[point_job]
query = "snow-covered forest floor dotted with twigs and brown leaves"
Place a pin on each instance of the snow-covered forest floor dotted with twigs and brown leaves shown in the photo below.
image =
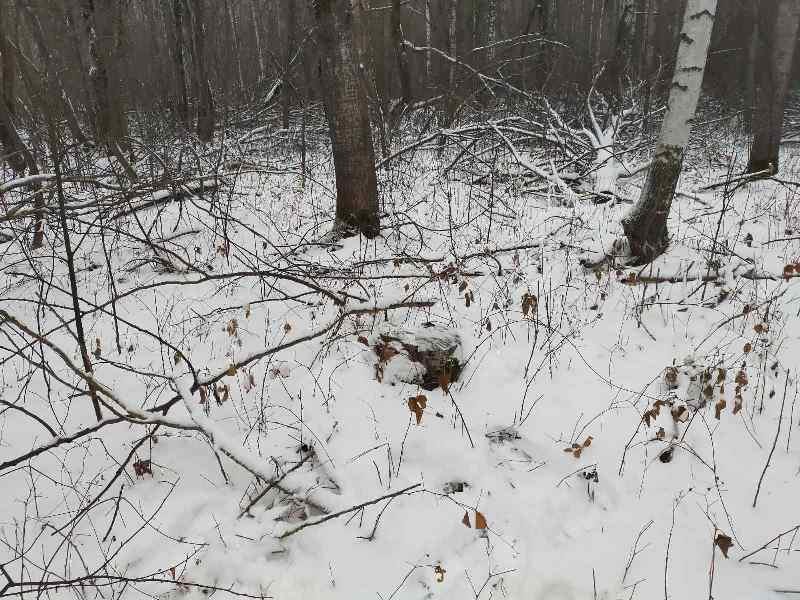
(583, 453)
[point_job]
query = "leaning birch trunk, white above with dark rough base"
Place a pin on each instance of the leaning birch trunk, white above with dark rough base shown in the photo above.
(645, 225)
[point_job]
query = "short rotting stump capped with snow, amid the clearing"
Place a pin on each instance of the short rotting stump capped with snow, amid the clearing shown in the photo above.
(429, 356)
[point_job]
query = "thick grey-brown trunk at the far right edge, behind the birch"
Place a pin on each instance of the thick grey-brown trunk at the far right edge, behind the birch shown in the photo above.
(778, 22)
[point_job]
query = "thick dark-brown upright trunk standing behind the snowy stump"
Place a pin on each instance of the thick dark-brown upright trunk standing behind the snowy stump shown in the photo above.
(348, 117)
